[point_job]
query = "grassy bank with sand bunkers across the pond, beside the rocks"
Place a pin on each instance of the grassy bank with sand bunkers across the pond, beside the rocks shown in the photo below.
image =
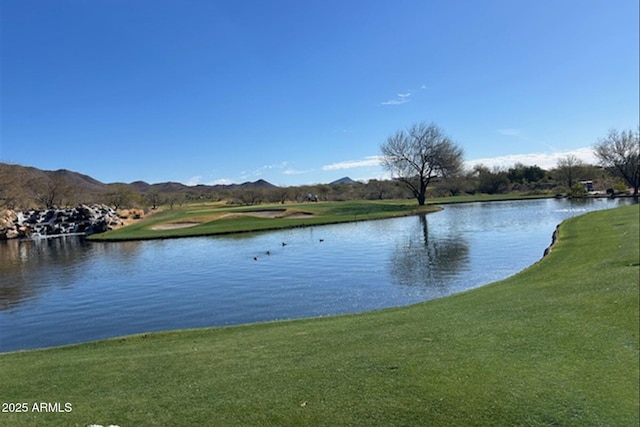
(212, 219)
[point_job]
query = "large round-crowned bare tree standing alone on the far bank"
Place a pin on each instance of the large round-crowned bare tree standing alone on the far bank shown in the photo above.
(420, 154)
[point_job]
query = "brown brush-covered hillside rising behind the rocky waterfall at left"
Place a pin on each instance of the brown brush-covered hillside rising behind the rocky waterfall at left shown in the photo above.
(27, 187)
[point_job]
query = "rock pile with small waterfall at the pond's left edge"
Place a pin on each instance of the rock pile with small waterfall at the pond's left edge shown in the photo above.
(82, 220)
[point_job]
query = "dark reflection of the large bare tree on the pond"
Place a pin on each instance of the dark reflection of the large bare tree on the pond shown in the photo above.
(424, 260)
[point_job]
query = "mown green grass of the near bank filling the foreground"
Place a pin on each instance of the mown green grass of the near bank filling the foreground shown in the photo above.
(555, 345)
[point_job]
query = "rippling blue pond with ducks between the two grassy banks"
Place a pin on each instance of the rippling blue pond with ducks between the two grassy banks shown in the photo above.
(68, 290)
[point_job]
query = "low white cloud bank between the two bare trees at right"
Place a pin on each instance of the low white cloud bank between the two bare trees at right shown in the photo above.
(544, 160)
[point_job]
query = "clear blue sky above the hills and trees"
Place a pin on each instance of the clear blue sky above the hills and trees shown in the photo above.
(298, 92)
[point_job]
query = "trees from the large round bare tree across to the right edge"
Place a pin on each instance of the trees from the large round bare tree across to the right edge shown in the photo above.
(424, 154)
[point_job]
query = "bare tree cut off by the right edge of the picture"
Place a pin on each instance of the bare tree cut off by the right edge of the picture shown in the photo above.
(620, 153)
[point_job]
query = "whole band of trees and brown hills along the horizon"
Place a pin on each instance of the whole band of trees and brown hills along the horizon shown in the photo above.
(423, 161)
